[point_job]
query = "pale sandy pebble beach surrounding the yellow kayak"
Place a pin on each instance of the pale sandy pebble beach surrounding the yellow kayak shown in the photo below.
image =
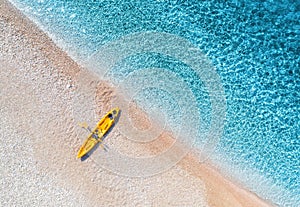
(39, 137)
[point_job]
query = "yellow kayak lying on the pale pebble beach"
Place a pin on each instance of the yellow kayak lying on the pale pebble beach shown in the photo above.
(98, 132)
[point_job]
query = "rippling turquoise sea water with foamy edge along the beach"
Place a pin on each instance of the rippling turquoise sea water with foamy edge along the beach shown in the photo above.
(255, 48)
